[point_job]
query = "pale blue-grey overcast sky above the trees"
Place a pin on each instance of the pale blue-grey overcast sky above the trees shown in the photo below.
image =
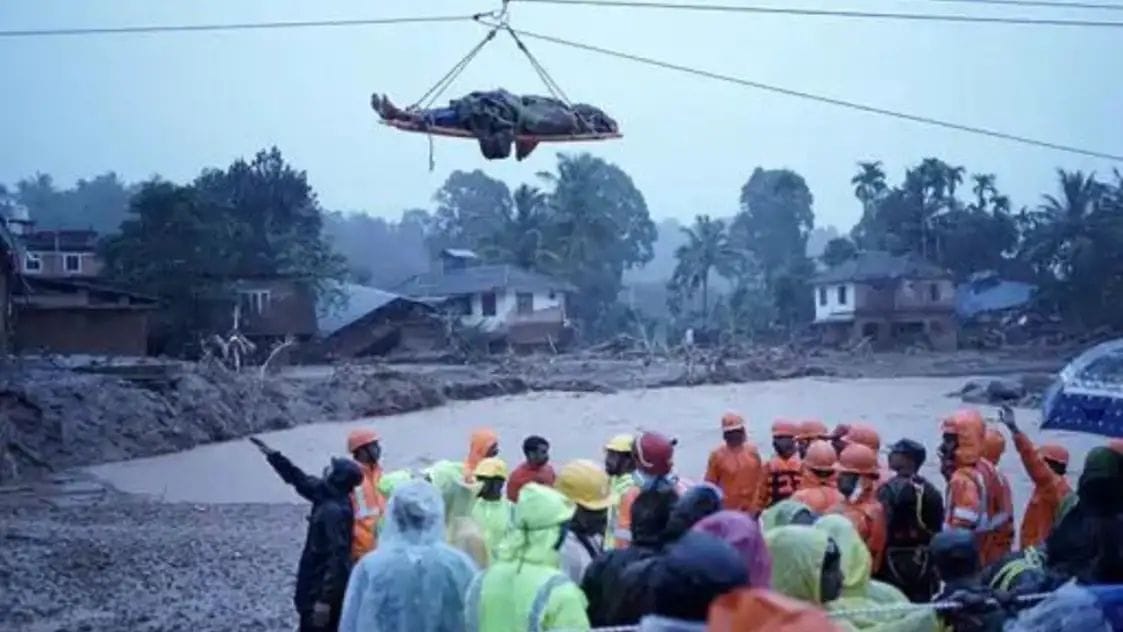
(172, 104)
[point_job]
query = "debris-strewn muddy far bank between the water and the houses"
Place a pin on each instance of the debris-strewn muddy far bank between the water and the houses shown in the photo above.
(53, 418)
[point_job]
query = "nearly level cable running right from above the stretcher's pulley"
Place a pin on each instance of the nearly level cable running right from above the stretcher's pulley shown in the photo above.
(829, 13)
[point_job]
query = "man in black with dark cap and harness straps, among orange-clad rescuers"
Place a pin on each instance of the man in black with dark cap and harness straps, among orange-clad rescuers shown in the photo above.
(914, 515)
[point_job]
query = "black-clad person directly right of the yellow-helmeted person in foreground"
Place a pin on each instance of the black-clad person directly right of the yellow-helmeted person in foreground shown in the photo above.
(608, 596)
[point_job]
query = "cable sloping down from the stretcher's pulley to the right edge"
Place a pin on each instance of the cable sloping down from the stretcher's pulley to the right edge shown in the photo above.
(819, 98)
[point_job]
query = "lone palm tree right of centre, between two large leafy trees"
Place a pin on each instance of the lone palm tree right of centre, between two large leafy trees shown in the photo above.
(708, 250)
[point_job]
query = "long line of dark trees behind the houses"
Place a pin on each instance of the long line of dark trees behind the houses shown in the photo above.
(586, 222)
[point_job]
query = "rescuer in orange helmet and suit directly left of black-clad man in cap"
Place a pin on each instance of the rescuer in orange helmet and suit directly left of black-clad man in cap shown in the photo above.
(859, 486)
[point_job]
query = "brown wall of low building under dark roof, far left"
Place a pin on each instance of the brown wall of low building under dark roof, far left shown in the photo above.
(97, 332)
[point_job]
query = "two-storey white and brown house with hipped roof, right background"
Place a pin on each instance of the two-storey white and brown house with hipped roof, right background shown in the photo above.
(891, 300)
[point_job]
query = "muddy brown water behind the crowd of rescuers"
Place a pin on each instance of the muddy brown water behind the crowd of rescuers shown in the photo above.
(578, 426)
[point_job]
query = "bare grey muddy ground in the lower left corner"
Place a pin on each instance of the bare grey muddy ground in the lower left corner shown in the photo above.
(121, 564)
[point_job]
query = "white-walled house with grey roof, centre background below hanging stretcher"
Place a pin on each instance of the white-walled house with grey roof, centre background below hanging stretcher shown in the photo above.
(506, 304)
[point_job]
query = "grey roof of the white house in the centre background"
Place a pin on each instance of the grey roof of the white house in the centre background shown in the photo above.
(476, 280)
